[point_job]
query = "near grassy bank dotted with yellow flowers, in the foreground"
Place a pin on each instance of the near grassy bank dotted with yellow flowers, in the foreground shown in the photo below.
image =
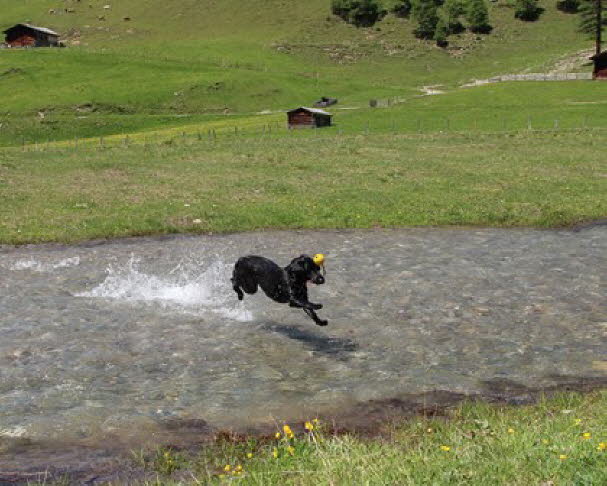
(559, 441)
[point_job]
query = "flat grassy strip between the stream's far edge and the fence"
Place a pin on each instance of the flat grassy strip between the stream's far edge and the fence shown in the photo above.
(304, 181)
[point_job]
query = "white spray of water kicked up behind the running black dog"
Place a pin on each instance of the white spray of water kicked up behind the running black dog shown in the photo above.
(188, 288)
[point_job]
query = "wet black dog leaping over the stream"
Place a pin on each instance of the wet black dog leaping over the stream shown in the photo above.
(282, 285)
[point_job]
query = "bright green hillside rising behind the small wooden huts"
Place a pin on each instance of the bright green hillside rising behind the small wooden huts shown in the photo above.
(210, 58)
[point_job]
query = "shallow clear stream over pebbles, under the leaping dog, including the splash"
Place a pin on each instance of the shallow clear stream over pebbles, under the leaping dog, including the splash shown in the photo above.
(121, 337)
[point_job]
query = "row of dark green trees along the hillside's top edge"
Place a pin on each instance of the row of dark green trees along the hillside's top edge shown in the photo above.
(438, 19)
